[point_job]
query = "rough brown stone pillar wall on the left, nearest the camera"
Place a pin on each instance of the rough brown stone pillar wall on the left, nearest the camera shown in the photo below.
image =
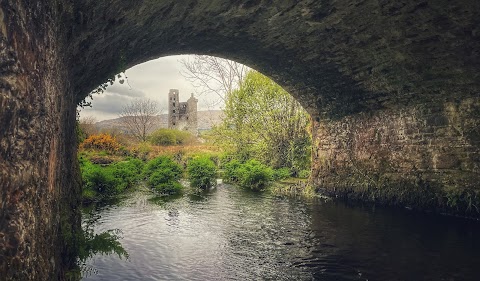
(38, 194)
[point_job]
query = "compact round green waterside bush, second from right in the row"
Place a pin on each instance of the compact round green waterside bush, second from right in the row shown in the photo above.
(201, 172)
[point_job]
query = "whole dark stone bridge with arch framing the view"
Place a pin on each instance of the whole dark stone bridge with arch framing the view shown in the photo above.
(393, 87)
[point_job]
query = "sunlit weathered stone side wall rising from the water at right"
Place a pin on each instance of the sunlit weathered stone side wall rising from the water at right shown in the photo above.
(425, 156)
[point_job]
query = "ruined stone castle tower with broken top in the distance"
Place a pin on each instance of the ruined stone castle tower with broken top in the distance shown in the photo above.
(182, 115)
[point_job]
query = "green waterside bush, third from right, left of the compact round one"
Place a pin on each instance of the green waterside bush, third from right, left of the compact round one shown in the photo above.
(163, 175)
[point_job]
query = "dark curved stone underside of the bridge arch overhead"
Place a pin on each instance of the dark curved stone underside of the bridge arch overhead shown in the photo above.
(336, 57)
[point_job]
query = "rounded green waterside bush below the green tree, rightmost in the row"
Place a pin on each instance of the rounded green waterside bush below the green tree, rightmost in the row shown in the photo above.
(254, 175)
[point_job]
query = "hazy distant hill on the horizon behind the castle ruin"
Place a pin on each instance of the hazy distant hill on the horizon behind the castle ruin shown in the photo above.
(206, 120)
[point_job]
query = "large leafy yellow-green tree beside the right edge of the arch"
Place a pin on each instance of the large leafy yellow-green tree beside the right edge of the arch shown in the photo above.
(264, 122)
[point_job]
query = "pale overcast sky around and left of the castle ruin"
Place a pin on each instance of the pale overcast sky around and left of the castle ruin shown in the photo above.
(151, 80)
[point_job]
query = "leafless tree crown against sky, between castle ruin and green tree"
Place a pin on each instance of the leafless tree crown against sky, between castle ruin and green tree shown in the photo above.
(213, 74)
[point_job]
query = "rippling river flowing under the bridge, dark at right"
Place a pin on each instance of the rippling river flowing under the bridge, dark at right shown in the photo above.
(232, 234)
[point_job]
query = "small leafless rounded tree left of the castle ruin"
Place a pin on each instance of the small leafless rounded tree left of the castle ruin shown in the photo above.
(139, 117)
